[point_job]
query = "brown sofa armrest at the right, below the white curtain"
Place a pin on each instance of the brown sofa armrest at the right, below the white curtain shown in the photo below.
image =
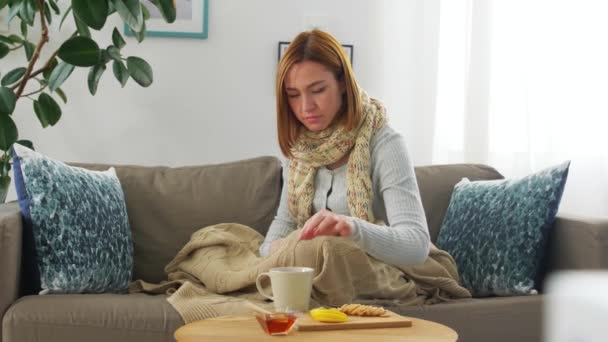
(578, 243)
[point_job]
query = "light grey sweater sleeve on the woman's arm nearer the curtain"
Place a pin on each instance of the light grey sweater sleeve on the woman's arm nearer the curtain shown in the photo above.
(405, 240)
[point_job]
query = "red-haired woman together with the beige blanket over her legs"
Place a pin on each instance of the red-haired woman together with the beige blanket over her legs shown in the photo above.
(350, 206)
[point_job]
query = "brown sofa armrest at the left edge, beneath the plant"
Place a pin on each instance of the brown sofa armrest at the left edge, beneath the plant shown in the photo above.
(10, 254)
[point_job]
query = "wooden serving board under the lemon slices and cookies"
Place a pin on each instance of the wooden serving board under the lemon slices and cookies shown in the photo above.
(389, 320)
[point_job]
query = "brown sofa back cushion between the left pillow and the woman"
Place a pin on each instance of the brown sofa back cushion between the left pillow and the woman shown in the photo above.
(166, 205)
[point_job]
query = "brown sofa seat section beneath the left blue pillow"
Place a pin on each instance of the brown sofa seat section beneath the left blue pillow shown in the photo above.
(91, 318)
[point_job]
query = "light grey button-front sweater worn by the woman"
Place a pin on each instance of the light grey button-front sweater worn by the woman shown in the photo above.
(405, 239)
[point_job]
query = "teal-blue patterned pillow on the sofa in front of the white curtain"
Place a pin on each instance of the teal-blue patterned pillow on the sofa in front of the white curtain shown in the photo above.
(497, 230)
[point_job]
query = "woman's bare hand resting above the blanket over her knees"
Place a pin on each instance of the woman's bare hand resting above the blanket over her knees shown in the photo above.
(326, 223)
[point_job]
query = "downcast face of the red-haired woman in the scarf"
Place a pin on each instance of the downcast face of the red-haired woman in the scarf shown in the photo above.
(314, 94)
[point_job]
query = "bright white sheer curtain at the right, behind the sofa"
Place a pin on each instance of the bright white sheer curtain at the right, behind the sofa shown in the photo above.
(523, 85)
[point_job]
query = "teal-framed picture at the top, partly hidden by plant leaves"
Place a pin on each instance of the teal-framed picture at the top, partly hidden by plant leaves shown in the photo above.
(192, 17)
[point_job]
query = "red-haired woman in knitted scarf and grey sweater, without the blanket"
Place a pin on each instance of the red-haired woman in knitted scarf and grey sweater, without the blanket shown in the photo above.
(348, 173)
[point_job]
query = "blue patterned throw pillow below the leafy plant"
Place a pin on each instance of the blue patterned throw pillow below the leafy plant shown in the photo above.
(78, 219)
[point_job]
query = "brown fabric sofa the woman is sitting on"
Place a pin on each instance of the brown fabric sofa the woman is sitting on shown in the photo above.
(166, 205)
